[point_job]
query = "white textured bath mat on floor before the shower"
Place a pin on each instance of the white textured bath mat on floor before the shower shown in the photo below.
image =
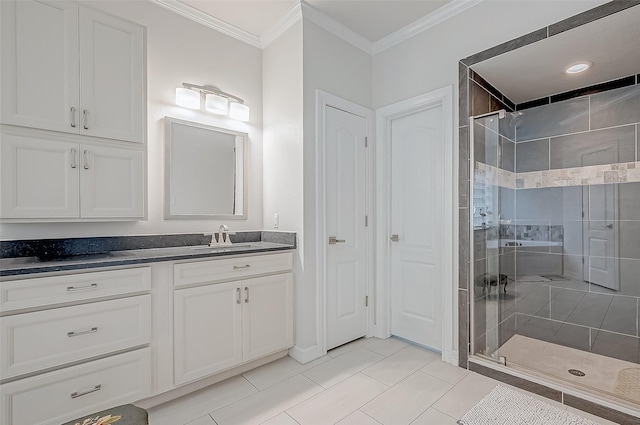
(504, 406)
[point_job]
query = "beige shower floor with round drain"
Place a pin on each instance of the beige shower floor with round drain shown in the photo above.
(554, 361)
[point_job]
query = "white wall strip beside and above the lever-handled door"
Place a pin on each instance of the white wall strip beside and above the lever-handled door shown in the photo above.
(336, 67)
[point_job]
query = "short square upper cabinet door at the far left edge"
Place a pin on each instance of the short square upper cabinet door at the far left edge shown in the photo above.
(39, 178)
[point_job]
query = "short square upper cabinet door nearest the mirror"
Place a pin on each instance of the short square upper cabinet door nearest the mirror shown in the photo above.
(111, 182)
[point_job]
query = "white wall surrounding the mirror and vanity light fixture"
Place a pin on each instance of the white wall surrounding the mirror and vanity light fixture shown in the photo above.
(178, 50)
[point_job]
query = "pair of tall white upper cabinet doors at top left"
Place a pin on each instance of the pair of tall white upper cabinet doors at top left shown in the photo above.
(70, 68)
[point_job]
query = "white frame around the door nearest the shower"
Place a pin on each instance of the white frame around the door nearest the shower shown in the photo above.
(442, 97)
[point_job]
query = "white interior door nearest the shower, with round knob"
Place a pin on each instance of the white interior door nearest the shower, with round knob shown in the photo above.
(417, 222)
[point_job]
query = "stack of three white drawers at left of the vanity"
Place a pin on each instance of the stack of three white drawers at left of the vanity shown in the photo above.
(74, 344)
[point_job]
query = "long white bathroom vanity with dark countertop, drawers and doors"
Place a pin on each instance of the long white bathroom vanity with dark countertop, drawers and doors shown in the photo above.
(88, 332)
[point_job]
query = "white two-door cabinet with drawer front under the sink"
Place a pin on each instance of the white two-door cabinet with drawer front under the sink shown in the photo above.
(220, 325)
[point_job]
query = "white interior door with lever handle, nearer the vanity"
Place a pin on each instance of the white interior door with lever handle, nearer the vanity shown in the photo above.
(345, 186)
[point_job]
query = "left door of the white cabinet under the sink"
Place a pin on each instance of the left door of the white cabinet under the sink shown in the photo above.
(207, 333)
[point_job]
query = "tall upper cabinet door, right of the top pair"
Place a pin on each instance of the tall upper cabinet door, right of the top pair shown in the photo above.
(111, 77)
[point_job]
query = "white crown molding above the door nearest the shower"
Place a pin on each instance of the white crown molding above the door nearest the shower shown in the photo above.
(440, 15)
